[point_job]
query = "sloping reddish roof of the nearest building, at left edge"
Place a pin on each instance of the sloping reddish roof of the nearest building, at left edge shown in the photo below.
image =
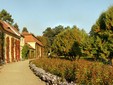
(7, 27)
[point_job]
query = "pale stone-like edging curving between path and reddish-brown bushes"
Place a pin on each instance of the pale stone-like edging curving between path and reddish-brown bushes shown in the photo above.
(49, 78)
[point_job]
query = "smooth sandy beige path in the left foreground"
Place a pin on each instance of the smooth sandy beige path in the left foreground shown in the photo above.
(18, 73)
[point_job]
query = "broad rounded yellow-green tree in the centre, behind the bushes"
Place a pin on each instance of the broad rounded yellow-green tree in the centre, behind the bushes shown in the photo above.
(70, 42)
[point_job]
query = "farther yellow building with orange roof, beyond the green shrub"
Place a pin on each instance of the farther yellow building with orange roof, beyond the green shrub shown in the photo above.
(34, 44)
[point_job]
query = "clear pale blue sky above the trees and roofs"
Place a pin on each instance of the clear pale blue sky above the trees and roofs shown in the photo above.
(37, 15)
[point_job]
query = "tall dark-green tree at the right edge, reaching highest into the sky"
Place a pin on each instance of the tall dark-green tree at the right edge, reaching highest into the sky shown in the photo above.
(102, 31)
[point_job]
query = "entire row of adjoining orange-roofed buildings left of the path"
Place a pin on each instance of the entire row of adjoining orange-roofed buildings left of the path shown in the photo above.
(12, 42)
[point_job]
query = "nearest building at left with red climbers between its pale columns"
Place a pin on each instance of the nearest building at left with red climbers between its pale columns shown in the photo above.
(9, 43)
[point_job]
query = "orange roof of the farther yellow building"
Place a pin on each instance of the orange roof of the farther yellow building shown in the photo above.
(31, 38)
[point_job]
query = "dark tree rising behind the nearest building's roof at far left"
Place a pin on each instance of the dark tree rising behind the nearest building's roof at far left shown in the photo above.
(5, 16)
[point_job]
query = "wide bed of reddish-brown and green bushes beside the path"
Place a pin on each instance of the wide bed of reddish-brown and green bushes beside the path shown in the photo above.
(81, 72)
